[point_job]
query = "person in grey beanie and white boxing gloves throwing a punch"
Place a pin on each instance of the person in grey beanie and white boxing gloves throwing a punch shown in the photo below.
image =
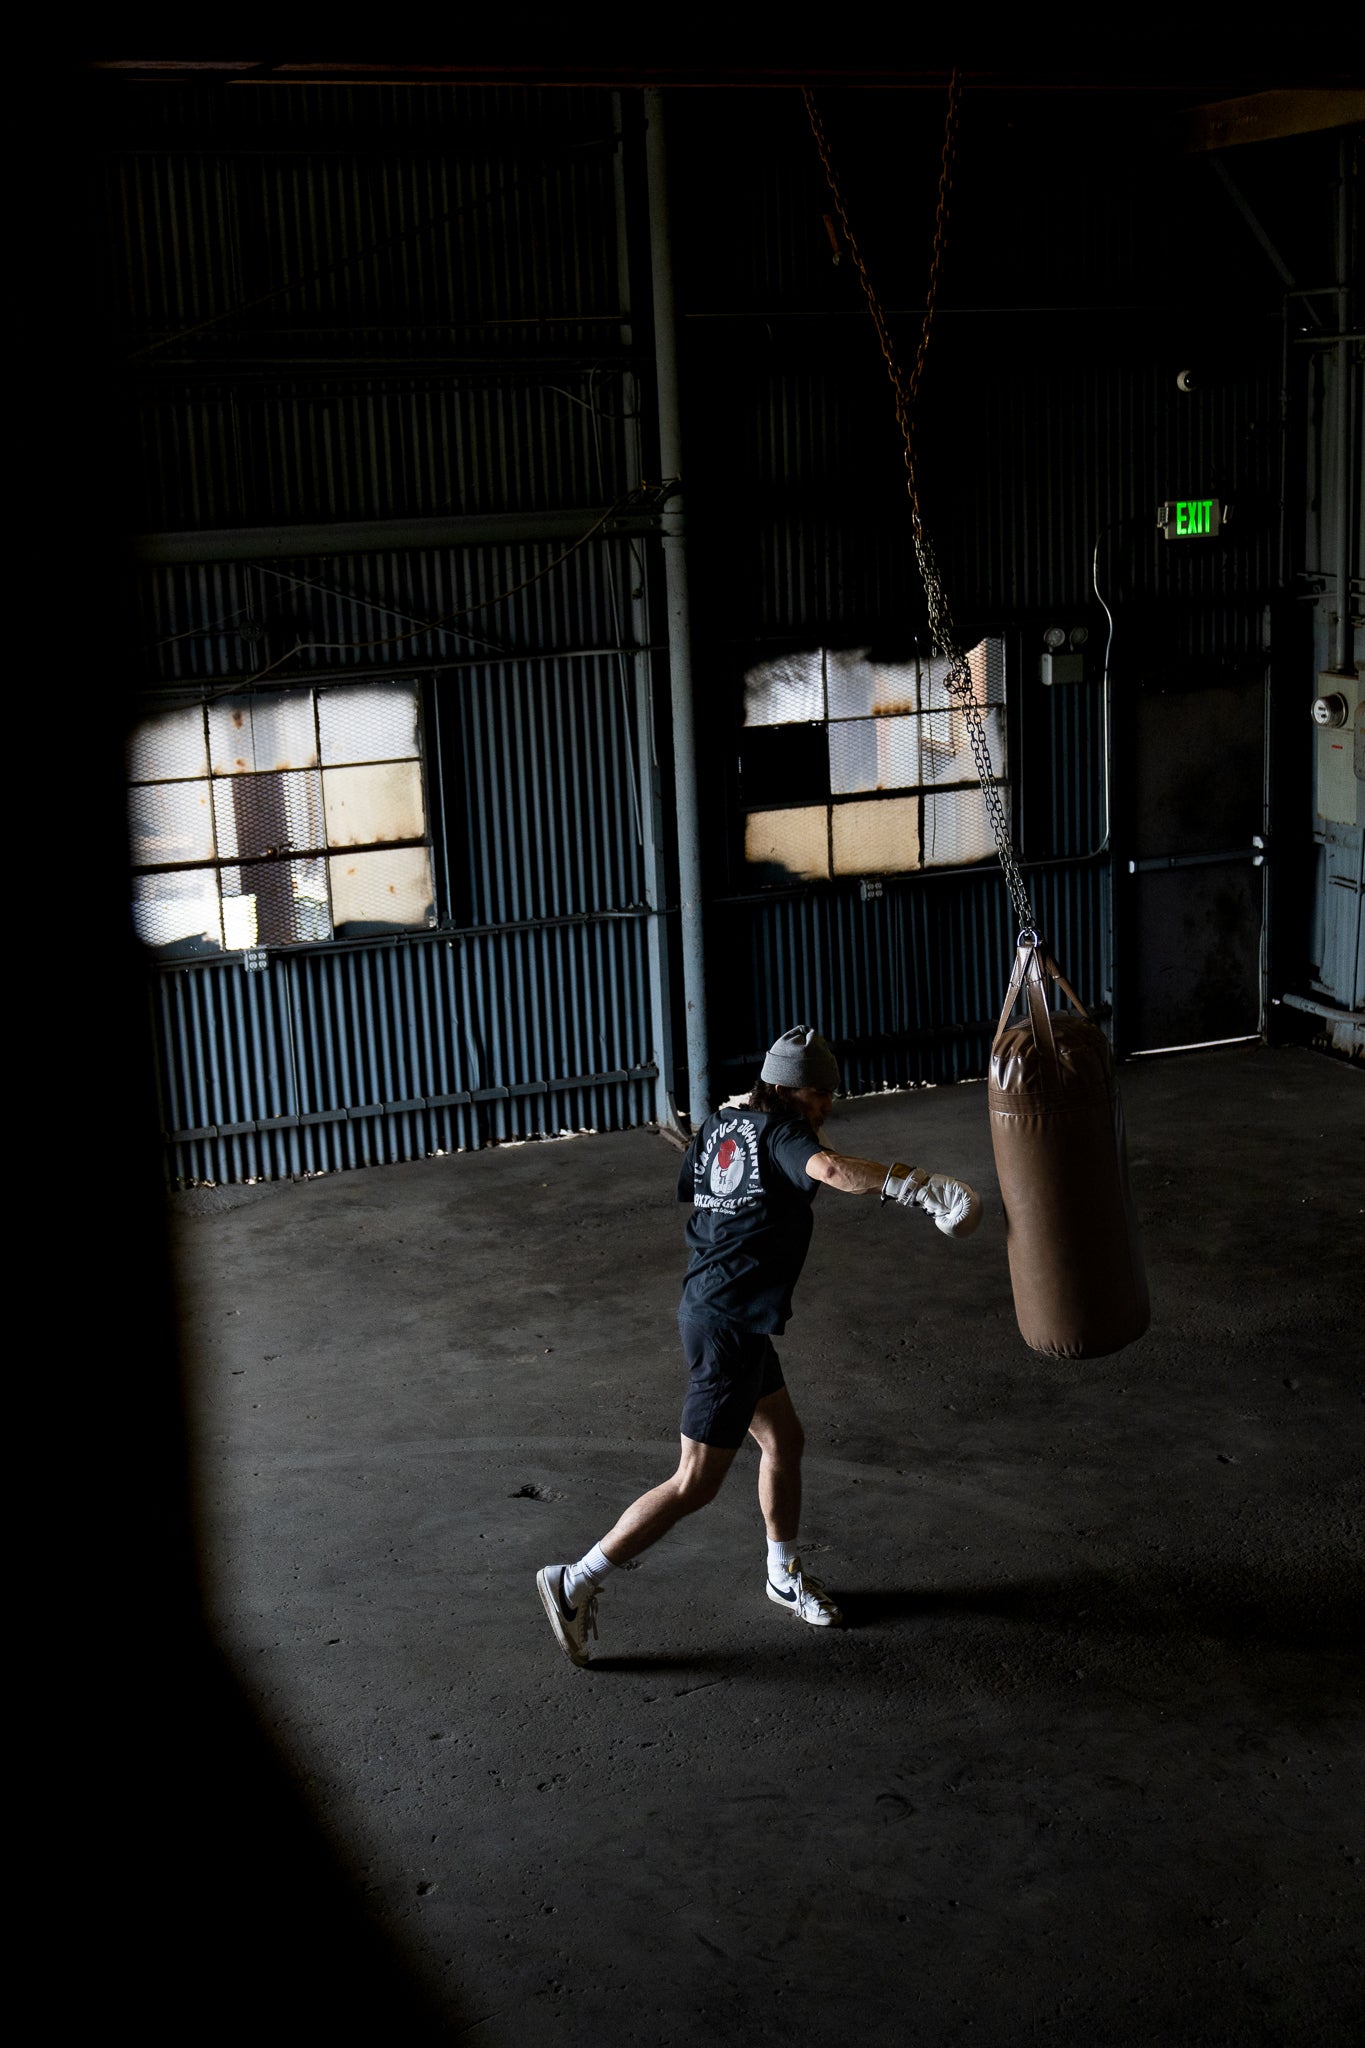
(752, 1177)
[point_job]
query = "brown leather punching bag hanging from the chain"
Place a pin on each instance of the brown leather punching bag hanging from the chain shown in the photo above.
(1057, 1127)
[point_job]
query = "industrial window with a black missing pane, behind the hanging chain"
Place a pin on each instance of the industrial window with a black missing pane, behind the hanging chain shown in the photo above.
(863, 767)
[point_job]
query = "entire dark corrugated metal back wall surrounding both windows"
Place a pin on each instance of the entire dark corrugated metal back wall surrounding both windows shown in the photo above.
(396, 304)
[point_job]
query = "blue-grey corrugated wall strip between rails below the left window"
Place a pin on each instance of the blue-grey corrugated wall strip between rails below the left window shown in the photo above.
(392, 1052)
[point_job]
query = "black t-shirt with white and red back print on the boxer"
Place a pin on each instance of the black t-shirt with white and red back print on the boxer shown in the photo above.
(750, 1226)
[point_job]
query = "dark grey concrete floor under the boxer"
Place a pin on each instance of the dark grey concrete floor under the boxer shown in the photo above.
(1086, 1768)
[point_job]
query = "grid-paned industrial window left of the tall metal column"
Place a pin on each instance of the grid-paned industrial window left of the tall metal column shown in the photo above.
(279, 818)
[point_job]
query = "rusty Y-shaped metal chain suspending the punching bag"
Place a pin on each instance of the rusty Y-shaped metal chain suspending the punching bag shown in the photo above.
(942, 628)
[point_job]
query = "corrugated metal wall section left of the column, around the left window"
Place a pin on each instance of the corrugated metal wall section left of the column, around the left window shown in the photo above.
(402, 306)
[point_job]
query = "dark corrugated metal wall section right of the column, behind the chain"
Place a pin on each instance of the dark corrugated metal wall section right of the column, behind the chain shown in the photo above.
(1051, 423)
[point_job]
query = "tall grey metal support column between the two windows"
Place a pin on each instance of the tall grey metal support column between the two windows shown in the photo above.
(678, 622)
